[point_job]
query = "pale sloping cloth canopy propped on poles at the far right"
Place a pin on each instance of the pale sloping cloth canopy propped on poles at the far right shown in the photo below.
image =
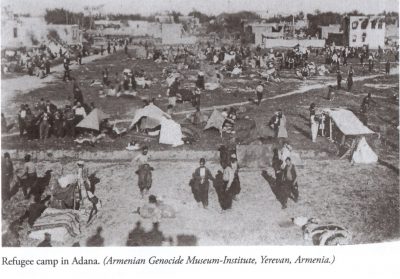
(347, 122)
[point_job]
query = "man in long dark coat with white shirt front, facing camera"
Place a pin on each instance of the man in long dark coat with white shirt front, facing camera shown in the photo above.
(200, 183)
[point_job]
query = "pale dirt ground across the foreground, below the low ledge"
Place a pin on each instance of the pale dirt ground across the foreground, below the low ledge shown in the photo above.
(363, 199)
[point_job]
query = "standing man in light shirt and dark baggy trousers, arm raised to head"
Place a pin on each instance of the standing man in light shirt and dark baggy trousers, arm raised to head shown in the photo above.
(143, 171)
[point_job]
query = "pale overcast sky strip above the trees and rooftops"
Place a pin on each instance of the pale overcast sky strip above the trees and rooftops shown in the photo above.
(146, 7)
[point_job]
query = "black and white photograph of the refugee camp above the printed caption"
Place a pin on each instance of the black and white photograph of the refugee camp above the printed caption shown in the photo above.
(199, 123)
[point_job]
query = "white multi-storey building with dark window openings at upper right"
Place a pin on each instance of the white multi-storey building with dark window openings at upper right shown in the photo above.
(364, 30)
